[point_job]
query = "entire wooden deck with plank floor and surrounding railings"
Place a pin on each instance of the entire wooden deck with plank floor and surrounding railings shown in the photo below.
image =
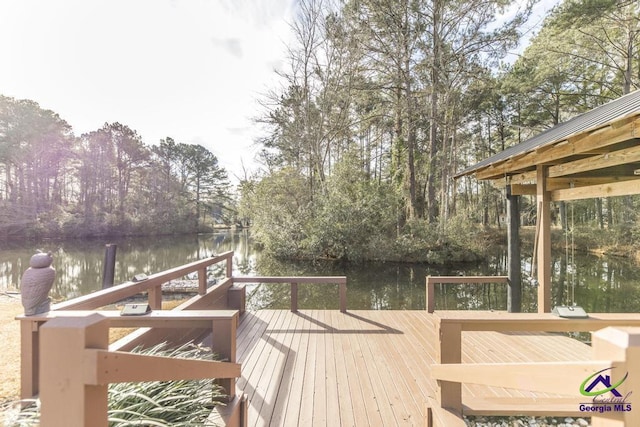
(326, 367)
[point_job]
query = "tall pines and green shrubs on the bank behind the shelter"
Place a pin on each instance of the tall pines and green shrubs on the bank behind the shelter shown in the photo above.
(382, 102)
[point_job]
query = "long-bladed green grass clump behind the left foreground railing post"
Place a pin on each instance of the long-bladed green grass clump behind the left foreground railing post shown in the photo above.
(156, 403)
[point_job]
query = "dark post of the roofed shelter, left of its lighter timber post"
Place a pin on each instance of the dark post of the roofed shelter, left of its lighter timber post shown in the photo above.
(514, 290)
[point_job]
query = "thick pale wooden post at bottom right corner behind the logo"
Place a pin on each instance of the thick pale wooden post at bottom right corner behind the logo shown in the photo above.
(620, 345)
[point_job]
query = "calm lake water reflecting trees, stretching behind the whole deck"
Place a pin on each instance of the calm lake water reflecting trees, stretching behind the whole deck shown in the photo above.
(598, 284)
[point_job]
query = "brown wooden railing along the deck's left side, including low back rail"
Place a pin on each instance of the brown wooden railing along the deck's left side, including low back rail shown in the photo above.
(72, 340)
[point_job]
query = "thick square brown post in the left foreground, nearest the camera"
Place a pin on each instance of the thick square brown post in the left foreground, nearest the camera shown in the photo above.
(66, 400)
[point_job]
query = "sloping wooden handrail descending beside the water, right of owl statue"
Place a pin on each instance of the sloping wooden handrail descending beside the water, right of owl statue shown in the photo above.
(152, 284)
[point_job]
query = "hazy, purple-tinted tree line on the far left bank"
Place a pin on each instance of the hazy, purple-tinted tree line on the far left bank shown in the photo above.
(107, 181)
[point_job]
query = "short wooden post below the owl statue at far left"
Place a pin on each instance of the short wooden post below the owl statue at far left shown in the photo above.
(29, 358)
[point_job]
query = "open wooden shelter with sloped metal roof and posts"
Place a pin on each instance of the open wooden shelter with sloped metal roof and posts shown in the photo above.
(595, 154)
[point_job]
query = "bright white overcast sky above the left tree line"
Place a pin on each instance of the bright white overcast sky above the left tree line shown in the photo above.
(192, 69)
